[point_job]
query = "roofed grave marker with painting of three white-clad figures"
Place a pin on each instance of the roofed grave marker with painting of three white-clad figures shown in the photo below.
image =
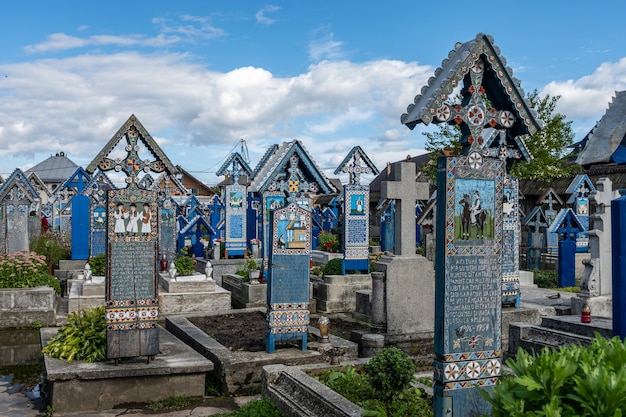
(132, 302)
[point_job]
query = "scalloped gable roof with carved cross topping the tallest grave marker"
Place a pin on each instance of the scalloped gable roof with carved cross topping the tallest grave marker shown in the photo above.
(488, 86)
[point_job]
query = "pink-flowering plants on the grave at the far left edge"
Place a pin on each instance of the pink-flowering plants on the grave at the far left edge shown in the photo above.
(26, 269)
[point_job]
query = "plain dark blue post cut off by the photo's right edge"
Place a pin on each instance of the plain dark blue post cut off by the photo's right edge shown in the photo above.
(618, 222)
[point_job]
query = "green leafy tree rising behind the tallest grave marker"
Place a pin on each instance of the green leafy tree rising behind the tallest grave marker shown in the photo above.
(548, 146)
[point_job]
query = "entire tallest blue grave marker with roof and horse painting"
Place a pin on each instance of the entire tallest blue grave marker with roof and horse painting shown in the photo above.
(468, 288)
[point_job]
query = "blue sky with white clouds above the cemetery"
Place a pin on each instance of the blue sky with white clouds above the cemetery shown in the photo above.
(201, 75)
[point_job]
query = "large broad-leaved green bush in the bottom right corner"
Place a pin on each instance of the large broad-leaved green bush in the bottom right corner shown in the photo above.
(571, 381)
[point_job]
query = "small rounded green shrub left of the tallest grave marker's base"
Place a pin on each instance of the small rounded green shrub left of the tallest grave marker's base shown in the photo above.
(390, 372)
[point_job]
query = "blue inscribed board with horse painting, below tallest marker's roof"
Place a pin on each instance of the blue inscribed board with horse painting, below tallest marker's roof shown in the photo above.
(468, 289)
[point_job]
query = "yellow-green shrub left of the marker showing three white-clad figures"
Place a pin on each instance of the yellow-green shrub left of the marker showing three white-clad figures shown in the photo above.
(82, 338)
